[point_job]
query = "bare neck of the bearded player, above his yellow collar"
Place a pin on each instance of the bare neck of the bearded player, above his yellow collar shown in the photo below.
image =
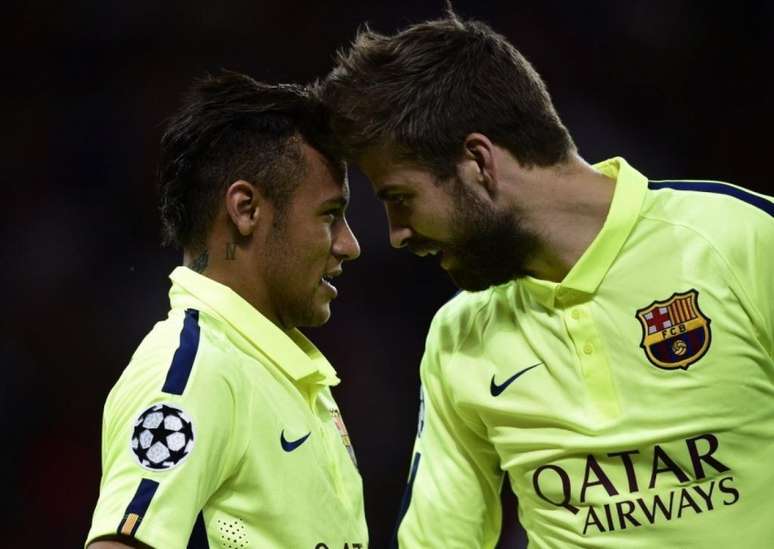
(565, 207)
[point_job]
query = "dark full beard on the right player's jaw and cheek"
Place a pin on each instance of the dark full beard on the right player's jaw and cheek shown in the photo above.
(489, 247)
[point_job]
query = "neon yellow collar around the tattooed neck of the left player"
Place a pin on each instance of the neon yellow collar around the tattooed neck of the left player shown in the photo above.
(291, 352)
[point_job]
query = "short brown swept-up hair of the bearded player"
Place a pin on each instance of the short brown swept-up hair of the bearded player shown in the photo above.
(426, 88)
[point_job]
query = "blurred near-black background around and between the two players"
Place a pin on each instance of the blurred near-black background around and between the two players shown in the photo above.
(679, 88)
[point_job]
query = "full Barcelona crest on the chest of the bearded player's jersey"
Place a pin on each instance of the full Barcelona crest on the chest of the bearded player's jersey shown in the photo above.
(675, 333)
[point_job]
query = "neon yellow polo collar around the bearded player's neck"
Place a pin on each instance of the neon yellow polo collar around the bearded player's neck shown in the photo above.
(589, 271)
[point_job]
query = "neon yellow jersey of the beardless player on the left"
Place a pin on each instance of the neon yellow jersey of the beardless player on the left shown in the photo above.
(222, 432)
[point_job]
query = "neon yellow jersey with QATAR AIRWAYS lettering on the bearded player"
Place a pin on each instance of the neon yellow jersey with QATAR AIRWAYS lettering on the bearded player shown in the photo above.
(632, 404)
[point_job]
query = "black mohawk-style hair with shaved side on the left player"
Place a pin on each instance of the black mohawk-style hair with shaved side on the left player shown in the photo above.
(231, 127)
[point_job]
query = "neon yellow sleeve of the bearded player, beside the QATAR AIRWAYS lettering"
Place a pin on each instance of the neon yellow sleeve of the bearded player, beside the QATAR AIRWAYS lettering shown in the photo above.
(453, 495)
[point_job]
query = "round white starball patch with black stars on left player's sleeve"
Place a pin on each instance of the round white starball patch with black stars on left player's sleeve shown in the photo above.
(162, 437)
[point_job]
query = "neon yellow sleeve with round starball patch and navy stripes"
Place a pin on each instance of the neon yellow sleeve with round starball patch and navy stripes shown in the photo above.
(171, 437)
